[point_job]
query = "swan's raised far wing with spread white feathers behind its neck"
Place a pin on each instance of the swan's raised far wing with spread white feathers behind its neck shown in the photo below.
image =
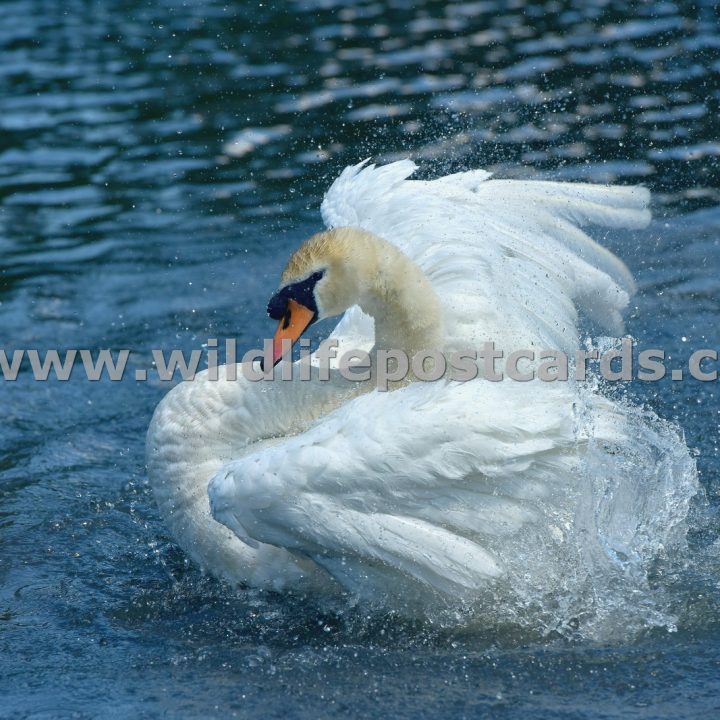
(508, 258)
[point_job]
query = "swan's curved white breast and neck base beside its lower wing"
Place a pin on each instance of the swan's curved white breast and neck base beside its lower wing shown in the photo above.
(200, 426)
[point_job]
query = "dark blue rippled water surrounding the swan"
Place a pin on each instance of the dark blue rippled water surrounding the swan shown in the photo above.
(158, 160)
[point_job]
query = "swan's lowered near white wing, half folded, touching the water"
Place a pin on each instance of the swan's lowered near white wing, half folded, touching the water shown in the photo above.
(344, 494)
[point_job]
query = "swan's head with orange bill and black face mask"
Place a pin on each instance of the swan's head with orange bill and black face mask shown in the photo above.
(329, 273)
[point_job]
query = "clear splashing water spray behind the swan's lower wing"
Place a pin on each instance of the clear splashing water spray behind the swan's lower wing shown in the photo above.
(636, 482)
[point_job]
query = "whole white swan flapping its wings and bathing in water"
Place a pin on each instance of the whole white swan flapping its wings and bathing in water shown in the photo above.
(434, 490)
